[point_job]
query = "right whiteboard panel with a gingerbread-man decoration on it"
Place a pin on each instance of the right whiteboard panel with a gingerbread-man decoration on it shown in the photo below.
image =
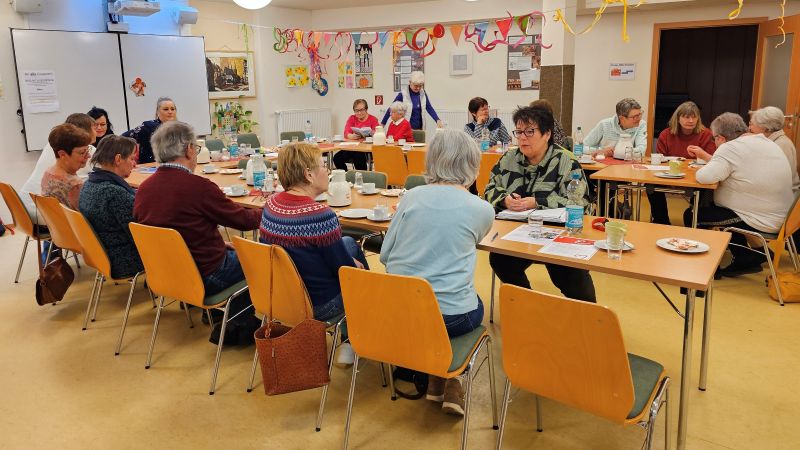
(170, 66)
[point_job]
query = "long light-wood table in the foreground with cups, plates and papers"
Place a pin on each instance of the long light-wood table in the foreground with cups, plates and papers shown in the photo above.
(647, 262)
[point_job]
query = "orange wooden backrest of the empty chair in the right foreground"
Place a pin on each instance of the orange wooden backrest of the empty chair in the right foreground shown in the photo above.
(566, 350)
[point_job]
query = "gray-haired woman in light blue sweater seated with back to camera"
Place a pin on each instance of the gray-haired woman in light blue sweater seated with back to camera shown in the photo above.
(434, 234)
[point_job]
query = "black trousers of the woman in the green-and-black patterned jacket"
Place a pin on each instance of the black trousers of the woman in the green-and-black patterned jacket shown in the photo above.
(574, 283)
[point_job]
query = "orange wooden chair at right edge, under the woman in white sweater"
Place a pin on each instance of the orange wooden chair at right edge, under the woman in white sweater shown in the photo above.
(780, 239)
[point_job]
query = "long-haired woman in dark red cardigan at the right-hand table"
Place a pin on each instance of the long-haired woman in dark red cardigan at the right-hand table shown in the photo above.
(685, 129)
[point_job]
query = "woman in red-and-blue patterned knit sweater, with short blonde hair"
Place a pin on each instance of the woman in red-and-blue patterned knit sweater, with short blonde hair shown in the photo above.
(310, 232)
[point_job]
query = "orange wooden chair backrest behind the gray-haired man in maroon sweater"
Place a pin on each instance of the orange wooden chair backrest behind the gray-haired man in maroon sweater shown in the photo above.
(171, 270)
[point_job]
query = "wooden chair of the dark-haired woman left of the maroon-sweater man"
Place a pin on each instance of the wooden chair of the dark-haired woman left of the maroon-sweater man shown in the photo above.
(96, 257)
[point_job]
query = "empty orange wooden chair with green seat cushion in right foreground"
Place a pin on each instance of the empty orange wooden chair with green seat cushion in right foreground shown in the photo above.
(573, 352)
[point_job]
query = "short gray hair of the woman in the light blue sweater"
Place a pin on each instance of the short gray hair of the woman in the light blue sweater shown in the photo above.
(453, 157)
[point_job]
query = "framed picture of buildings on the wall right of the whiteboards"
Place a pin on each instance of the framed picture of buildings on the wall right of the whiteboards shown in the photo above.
(230, 74)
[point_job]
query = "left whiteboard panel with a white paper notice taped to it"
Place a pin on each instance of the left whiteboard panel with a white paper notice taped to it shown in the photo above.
(87, 71)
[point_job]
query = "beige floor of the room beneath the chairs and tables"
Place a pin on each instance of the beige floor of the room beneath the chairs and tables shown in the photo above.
(64, 388)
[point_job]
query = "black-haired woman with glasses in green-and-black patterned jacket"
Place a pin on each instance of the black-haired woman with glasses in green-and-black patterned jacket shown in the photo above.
(536, 176)
